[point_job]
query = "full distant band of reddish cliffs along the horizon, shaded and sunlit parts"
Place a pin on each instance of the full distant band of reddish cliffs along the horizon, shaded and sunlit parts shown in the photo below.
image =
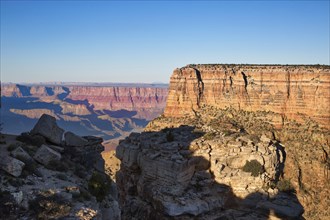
(147, 101)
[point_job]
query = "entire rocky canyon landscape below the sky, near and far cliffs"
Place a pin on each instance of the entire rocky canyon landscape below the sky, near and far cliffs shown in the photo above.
(234, 142)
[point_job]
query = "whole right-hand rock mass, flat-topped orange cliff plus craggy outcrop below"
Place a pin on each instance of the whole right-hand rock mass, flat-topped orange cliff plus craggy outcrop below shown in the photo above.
(235, 142)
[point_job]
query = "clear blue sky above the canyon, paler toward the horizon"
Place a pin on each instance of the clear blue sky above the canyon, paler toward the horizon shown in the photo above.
(113, 41)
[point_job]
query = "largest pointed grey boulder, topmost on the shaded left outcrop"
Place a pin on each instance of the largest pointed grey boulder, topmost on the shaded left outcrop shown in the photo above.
(47, 127)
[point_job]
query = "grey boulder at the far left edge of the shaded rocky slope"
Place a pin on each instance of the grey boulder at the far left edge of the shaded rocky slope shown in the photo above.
(11, 165)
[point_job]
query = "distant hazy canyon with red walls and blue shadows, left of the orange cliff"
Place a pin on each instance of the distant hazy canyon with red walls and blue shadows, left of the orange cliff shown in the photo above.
(110, 111)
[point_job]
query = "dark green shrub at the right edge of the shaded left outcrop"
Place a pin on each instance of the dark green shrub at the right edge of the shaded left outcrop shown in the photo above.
(99, 186)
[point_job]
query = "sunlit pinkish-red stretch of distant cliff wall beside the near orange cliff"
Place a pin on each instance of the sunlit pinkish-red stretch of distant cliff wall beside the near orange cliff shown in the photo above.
(148, 102)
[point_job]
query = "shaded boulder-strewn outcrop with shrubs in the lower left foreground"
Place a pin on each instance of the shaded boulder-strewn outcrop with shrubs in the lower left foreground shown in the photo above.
(52, 174)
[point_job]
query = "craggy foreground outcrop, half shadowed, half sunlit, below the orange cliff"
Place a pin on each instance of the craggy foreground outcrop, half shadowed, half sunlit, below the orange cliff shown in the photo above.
(181, 172)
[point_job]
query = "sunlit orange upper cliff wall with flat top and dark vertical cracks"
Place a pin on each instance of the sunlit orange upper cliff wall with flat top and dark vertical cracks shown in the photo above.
(287, 90)
